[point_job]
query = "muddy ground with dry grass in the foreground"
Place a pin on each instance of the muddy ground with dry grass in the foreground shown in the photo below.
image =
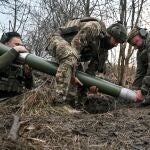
(35, 125)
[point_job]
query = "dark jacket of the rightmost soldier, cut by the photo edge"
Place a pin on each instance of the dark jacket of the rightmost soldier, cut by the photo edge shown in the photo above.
(142, 78)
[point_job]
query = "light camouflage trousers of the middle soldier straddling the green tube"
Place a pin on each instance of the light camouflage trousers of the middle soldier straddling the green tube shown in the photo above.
(67, 57)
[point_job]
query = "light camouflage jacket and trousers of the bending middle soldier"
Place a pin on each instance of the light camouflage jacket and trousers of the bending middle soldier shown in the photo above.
(69, 54)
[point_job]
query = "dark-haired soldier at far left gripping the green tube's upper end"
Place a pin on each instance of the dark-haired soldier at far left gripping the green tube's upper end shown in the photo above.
(13, 77)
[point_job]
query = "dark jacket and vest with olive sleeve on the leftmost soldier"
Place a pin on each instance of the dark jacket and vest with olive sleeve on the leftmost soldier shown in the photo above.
(12, 78)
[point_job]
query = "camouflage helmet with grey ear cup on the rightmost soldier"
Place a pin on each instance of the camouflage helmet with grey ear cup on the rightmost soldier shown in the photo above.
(136, 31)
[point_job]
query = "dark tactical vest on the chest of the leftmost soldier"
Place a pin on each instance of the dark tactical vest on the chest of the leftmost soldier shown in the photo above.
(11, 79)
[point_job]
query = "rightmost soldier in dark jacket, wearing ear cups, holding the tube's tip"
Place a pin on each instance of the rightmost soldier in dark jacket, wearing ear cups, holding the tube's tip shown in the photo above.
(140, 39)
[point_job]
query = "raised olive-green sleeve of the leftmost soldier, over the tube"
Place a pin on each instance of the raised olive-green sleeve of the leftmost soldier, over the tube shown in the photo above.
(7, 58)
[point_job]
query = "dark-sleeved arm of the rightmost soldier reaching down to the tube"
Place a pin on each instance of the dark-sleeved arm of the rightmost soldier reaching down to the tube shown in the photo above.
(140, 73)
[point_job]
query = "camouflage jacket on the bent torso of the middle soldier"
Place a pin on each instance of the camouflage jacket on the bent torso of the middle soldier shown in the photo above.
(87, 42)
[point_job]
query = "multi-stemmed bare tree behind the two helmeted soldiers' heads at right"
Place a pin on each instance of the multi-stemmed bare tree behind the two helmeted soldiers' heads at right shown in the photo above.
(134, 14)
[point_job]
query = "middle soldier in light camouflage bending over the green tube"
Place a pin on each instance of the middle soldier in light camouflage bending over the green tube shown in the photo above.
(82, 40)
